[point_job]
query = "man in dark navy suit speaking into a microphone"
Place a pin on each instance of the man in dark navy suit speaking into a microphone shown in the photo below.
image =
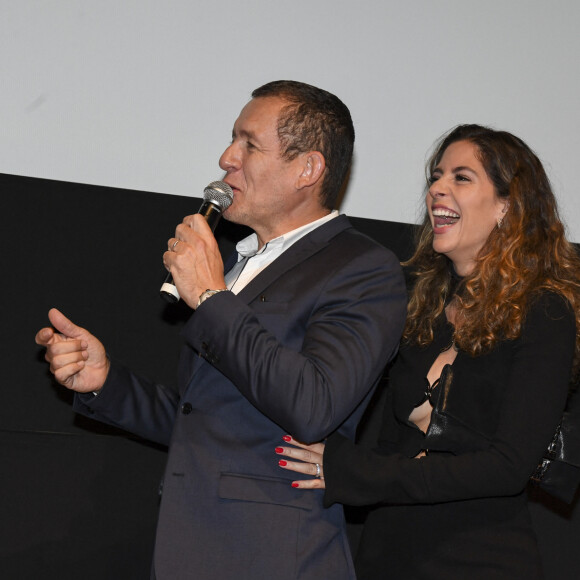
(292, 340)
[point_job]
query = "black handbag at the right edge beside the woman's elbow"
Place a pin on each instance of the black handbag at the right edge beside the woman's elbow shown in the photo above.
(558, 472)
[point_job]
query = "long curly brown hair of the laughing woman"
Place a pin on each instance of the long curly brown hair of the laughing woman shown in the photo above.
(528, 253)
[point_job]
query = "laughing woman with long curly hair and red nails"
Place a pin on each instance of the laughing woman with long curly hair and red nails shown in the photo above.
(481, 379)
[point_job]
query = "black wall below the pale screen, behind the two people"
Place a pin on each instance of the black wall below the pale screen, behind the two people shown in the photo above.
(79, 499)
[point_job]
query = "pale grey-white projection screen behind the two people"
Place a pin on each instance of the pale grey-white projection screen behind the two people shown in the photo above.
(142, 94)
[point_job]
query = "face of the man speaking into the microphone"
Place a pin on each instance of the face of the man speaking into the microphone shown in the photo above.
(263, 183)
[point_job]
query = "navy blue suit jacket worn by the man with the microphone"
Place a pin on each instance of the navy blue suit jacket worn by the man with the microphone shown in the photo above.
(298, 350)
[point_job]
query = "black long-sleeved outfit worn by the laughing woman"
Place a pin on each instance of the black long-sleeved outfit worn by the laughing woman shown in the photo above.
(461, 511)
